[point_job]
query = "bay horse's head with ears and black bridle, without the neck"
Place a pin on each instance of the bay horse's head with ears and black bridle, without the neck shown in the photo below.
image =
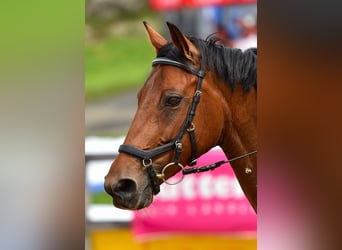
(180, 116)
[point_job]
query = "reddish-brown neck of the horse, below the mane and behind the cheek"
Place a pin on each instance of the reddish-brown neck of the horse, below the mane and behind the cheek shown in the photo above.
(239, 136)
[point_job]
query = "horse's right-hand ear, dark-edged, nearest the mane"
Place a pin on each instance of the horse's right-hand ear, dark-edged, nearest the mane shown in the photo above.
(186, 47)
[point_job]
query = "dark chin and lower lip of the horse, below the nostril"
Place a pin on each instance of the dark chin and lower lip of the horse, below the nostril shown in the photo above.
(139, 201)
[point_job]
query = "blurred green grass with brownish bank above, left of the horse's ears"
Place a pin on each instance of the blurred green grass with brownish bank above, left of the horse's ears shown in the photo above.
(117, 50)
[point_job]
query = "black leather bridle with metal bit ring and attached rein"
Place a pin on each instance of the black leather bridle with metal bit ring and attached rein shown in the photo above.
(187, 126)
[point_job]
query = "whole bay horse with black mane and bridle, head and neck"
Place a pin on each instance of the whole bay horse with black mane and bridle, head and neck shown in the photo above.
(199, 94)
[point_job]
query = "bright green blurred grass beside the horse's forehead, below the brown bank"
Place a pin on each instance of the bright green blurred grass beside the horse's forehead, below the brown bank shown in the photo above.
(116, 64)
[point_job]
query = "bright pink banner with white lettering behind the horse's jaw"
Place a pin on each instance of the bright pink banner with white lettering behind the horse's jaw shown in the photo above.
(205, 202)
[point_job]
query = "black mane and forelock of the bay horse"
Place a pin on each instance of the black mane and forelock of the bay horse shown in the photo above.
(230, 64)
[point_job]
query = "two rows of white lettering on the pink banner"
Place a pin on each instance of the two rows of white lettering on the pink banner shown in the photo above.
(204, 195)
